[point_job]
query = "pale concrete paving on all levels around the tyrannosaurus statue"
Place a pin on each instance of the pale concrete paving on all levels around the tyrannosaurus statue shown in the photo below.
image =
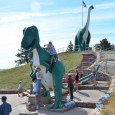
(19, 103)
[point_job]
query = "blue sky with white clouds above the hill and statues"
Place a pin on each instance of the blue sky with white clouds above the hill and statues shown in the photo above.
(57, 21)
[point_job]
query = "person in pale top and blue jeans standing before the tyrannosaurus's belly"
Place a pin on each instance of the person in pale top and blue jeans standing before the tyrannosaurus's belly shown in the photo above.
(39, 77)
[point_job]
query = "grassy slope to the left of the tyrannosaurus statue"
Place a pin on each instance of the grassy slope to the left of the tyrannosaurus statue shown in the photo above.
(9, 78)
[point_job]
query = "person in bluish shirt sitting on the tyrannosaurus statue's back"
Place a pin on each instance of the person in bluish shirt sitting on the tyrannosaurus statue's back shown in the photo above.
(53, 52)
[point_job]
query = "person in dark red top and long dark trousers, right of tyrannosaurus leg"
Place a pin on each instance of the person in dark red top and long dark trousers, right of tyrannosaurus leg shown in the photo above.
(70, 86)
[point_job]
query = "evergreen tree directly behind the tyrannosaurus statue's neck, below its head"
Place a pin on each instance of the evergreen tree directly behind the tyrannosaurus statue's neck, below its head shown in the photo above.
(23, 57)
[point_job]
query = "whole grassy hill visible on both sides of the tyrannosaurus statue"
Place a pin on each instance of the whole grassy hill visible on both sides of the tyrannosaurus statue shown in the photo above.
(9, 78)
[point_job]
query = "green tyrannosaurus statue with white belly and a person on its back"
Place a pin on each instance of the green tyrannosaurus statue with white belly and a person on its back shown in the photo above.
(53, 77)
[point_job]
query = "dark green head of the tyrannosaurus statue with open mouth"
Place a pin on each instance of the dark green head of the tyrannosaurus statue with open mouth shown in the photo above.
(30, 38)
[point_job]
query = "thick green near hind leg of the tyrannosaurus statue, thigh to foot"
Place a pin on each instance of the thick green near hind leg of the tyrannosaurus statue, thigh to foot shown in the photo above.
(58, 71)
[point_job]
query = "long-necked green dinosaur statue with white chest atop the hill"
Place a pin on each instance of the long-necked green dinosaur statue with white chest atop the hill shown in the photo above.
(82, 39)
